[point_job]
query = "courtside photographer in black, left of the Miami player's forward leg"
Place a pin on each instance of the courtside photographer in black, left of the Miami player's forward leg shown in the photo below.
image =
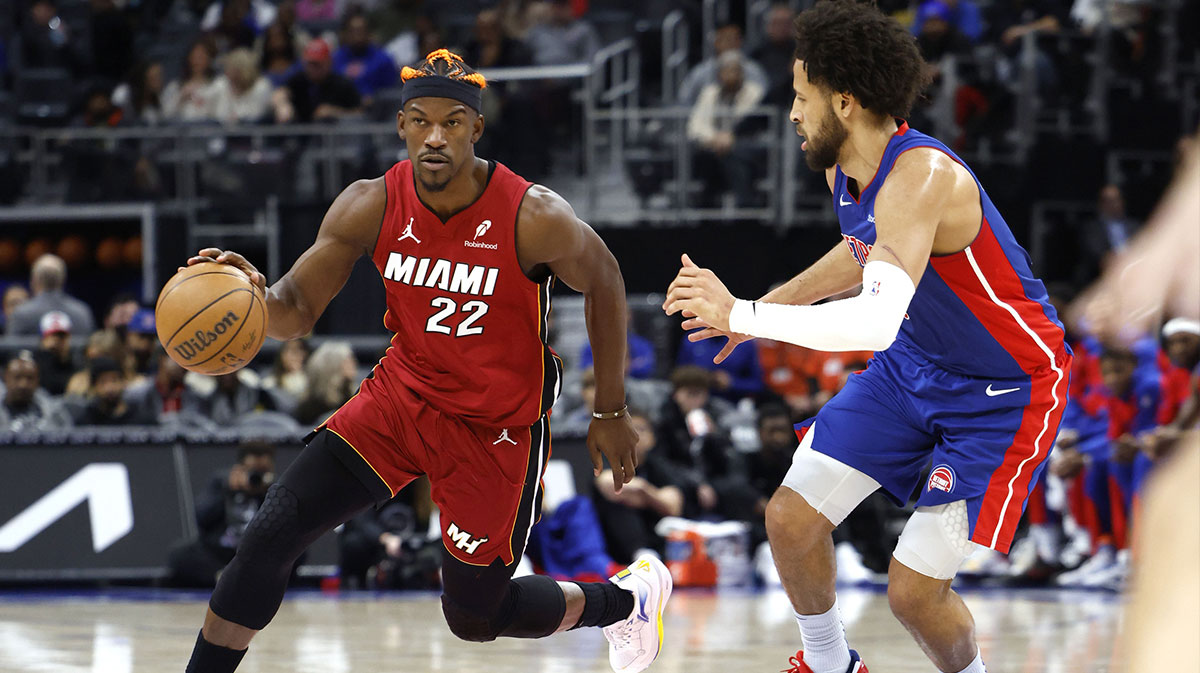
(224, 510)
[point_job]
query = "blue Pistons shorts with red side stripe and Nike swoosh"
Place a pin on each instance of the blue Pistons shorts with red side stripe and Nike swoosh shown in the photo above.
(986, 441)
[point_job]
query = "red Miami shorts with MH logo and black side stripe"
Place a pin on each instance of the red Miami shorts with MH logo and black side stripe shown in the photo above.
(487, 482)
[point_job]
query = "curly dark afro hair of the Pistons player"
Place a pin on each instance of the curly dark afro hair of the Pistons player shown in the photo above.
(851, 47)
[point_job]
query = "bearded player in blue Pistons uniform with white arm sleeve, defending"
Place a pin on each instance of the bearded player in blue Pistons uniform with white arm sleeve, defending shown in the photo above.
(971, 371)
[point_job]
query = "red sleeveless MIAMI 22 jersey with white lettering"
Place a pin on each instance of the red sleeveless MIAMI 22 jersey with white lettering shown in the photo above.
(470, 326)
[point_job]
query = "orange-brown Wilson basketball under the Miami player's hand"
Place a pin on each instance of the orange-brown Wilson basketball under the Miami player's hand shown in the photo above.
(211, 319)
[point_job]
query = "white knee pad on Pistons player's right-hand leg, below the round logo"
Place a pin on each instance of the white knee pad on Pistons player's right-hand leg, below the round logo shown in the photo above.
(937, 540)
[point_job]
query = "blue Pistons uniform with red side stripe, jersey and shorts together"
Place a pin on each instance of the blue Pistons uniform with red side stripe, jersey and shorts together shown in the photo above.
(975, 386)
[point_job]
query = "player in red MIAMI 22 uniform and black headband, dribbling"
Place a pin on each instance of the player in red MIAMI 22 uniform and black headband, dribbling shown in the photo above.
(469, 253)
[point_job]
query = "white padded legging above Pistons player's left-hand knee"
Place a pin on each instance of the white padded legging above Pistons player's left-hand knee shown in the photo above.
(830, 486)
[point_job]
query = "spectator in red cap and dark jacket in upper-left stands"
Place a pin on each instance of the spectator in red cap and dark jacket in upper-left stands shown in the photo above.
(316, 93)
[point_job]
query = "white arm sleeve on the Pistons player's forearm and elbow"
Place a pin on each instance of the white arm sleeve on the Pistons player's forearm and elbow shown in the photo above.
(867, 322)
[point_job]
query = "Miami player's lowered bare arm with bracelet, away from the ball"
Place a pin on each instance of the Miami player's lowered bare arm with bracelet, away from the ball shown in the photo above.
(553, 239)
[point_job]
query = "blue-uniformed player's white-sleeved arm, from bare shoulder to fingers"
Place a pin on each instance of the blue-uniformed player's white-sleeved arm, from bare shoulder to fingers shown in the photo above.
(909, 209)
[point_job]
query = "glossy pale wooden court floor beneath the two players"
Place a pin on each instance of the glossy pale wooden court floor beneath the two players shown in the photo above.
(707, 633)
